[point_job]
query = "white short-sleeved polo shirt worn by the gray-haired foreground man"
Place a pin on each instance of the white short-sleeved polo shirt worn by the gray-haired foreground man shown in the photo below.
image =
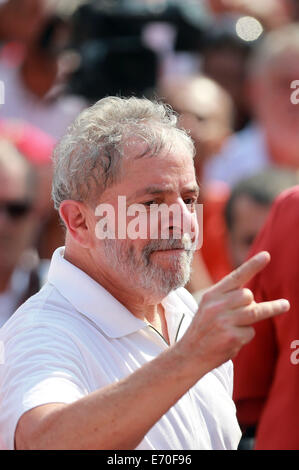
(73, 338)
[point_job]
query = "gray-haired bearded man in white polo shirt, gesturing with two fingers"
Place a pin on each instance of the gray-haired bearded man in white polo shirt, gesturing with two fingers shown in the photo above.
(113, 352)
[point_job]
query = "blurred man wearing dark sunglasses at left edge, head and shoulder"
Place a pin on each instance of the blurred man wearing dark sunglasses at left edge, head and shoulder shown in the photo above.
(18, 223)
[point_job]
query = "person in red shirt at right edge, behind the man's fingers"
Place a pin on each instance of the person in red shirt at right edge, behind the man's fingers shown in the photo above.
(266, 385)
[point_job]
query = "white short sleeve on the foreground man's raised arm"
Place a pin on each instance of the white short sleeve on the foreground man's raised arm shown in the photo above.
(34, 373)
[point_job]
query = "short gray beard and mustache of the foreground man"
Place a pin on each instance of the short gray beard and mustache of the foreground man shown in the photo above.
(142, 273)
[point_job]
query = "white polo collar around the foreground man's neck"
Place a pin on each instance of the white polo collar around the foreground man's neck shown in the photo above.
(92, 300)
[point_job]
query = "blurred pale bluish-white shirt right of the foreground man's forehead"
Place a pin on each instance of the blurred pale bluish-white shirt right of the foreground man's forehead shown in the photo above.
(244, 154)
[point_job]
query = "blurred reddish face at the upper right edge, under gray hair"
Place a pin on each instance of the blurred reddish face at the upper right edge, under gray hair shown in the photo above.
(273, 108)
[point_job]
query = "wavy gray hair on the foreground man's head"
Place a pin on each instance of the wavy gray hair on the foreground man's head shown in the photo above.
(93, 146)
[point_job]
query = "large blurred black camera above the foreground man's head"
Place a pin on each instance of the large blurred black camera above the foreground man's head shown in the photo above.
(114, 60)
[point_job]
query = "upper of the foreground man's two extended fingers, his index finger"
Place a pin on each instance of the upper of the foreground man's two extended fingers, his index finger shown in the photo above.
(243, 273)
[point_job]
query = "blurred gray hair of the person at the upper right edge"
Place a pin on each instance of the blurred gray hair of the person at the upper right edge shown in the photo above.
(274, 45)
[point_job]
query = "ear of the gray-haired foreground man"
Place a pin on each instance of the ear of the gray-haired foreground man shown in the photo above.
(74, 215)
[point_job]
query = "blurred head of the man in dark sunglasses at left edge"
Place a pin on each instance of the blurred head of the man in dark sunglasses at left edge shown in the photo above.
(17, 219)
